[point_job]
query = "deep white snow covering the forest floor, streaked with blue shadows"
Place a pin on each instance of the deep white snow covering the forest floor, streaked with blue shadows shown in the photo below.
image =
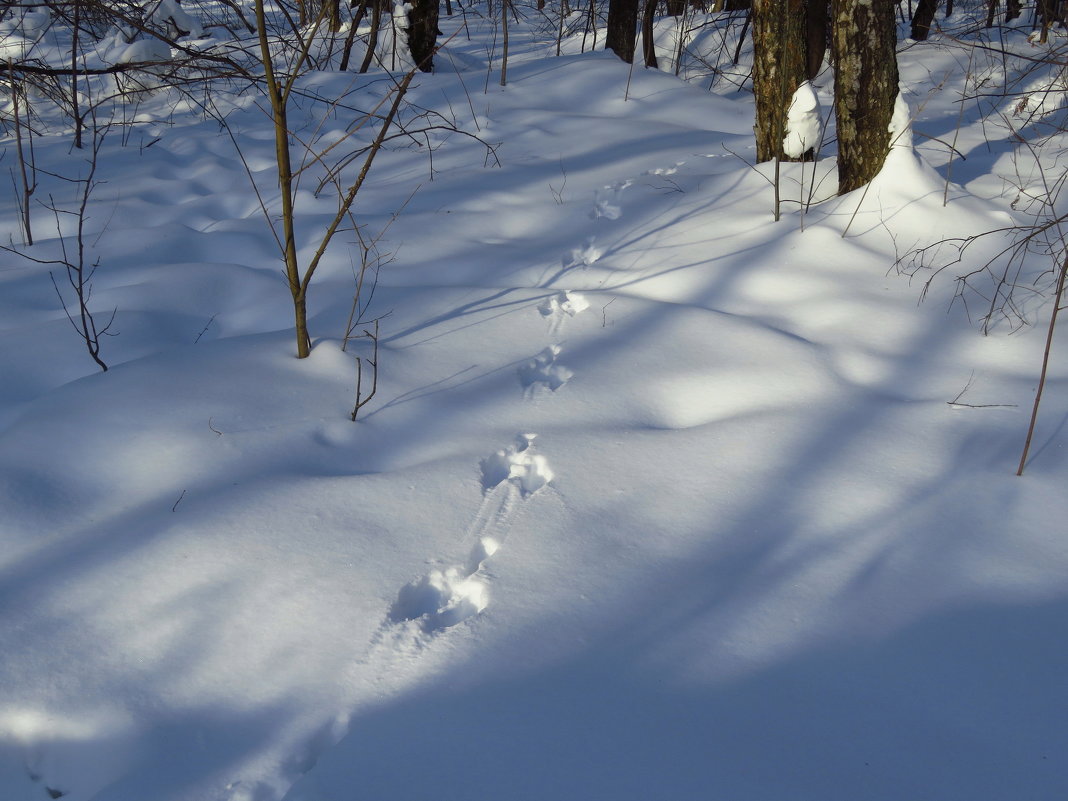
(657, 499)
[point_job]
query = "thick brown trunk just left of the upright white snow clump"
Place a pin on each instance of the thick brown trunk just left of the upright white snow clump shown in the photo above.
(780, 66)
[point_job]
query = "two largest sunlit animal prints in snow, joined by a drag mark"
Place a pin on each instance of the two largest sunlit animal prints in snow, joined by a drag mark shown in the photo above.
(446, 598)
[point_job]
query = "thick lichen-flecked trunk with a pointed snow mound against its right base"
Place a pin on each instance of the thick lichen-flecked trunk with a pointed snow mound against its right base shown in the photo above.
(865, 34)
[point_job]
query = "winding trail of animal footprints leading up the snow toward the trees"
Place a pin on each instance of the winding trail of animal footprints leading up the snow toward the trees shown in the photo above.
(445, 598)
